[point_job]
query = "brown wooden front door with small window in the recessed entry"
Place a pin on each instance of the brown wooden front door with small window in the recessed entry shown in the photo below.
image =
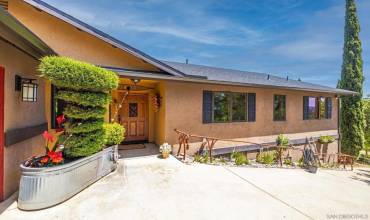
(134, 117)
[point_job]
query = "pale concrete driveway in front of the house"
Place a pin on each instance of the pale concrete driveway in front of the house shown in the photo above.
(151, 188)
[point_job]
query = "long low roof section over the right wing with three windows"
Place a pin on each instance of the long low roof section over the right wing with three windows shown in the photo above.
(251, 78)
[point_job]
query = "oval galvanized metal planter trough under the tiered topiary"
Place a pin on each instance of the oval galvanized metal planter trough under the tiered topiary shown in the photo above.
(44, 187)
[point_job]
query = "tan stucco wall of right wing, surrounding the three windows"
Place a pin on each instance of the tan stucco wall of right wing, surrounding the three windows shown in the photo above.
(184, 111)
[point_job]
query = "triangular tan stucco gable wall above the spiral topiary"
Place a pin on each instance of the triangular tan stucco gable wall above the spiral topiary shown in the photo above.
(67, 40)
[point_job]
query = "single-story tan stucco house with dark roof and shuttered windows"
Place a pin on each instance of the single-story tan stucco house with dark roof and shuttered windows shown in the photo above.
(154, 97)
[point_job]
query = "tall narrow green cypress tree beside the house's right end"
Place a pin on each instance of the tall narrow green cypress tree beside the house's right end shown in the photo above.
(352, 116)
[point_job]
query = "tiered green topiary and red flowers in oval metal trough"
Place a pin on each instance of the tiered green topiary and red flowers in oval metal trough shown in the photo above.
(86, 149)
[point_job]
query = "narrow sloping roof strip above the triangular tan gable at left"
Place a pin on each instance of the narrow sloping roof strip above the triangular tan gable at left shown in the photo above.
(101, 35)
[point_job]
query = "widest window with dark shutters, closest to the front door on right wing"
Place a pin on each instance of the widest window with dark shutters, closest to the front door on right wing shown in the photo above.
(228, 107)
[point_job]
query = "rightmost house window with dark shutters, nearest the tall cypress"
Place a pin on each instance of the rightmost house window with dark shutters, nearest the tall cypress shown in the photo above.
(317, 107)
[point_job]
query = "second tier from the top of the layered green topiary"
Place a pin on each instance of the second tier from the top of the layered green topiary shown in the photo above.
(85, 98)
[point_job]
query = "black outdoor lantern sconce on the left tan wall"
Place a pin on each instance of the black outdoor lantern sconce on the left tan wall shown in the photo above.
(27, 88)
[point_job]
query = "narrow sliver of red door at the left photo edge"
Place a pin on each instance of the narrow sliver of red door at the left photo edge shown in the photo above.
(2, 84)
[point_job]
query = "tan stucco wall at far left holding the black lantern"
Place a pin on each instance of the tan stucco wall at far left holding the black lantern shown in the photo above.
(19, 114)
